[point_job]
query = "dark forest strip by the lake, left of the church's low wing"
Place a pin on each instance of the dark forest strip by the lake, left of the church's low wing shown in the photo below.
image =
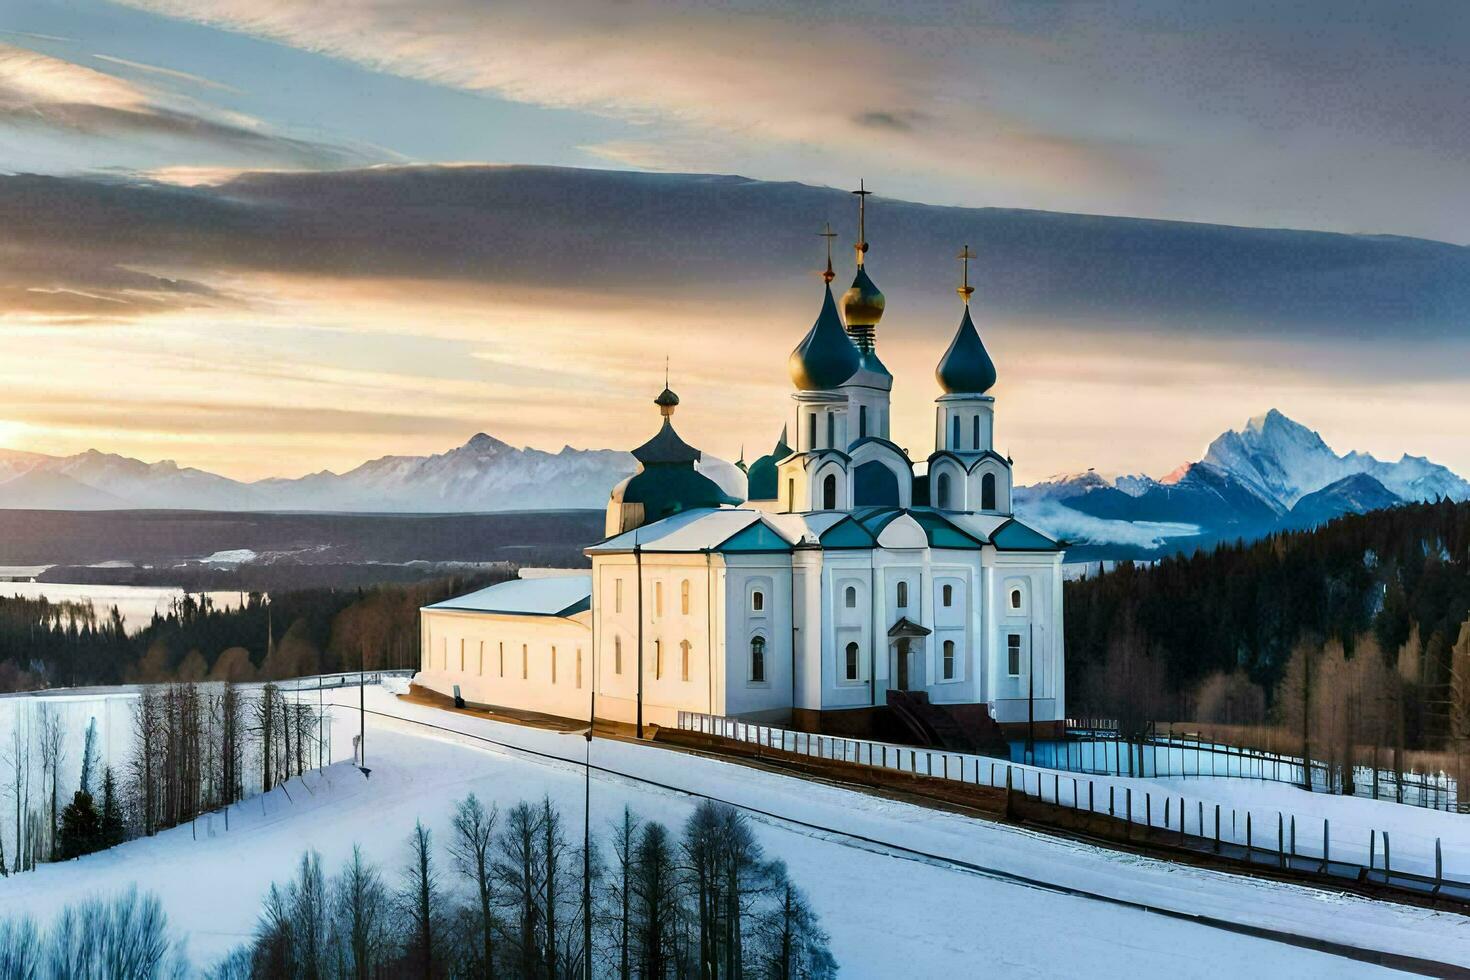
(273, 637)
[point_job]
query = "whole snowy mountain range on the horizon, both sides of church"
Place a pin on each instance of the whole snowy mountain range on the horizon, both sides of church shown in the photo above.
(1272, 474)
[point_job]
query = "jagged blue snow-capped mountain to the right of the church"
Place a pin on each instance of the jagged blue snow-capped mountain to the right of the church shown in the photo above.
(1271, 474)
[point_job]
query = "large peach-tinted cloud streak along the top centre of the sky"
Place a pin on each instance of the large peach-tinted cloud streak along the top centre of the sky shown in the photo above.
(723, 74)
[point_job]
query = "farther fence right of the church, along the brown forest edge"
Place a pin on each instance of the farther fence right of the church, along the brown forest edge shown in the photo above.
(1097, 749)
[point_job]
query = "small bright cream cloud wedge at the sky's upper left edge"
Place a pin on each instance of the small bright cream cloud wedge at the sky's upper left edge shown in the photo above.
(79, 102)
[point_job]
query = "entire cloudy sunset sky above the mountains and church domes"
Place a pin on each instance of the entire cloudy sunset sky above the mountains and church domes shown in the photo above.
(389, 286)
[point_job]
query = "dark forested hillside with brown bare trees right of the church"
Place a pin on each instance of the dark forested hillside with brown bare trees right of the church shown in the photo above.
(1352, 641)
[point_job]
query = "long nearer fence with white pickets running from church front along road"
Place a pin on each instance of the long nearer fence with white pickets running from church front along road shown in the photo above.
(1280, 840)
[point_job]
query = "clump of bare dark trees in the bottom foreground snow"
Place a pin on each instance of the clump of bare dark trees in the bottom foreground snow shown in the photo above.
(509, 903)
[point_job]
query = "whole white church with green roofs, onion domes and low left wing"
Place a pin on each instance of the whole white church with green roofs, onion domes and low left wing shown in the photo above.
(833, 586)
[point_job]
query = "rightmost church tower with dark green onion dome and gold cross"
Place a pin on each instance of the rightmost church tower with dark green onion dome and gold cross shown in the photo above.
(965, 471)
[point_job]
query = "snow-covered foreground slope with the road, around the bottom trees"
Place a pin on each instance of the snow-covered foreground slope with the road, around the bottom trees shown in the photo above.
(889, 913)
